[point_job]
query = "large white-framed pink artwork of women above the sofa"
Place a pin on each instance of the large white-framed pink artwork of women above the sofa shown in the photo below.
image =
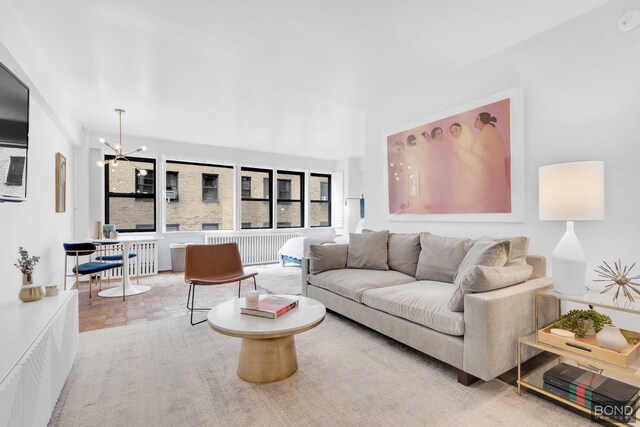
(463, 164)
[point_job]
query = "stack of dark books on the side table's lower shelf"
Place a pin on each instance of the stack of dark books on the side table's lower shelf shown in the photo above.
(604, 396)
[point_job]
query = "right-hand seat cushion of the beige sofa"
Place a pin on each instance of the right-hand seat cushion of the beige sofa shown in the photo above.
(423, 302)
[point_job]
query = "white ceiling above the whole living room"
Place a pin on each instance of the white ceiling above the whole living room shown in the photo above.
(282, 76)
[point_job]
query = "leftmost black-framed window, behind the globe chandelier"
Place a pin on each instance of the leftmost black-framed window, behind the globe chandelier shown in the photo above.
(130, 200)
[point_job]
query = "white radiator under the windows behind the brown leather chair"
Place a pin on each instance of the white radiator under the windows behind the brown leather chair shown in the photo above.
(255, 248)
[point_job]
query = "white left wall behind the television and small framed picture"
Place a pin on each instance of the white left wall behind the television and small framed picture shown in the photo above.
(34, 224)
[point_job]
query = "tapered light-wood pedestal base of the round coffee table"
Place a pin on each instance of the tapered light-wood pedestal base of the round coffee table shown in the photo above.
(267, 360)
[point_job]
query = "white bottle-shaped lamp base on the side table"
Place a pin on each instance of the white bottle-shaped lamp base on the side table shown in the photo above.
(569, 265)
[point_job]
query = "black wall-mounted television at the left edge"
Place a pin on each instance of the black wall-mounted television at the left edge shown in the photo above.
(14, 136)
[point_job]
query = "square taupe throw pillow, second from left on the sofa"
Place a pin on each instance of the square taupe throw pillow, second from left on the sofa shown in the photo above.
(368, 250)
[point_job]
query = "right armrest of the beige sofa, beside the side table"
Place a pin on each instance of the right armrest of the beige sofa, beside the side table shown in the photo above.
(495, 320)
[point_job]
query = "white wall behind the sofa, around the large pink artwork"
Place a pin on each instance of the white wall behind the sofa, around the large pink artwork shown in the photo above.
(582, 102)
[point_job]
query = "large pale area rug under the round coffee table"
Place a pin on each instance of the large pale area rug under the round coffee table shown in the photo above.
(168, 373)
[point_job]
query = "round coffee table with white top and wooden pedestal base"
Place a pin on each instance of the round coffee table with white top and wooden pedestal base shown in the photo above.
(268, 352)
